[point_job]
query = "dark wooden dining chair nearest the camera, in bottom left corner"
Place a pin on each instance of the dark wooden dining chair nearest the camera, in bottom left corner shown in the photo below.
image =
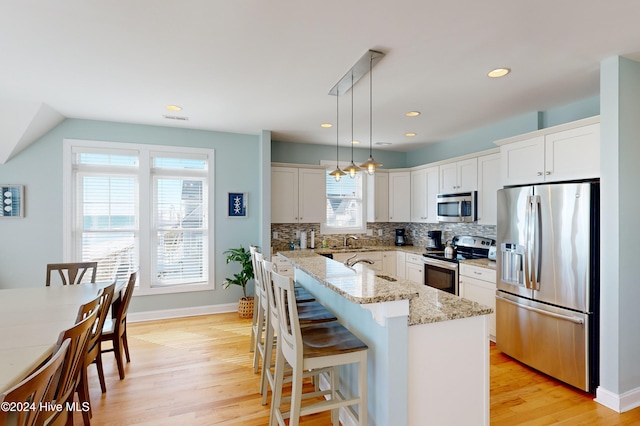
(34, 390)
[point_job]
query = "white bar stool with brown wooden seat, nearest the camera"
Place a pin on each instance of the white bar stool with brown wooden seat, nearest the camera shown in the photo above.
(321, 348)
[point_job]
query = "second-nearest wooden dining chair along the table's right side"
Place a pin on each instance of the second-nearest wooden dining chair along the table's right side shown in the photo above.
(64, 394)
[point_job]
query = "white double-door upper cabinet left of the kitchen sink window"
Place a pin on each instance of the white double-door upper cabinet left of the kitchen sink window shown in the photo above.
(298, 195)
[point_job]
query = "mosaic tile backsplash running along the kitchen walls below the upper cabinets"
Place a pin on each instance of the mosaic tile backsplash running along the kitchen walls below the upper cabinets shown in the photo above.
(416, 233)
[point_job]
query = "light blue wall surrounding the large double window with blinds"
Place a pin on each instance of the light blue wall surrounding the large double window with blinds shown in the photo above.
(30, 243)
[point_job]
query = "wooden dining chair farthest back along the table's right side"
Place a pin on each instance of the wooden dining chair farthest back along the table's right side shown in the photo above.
(115, 329)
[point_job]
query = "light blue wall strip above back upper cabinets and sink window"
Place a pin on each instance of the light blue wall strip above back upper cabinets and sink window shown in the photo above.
(303, 153)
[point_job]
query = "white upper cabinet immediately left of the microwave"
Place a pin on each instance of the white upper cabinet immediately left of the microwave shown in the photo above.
(424, 190)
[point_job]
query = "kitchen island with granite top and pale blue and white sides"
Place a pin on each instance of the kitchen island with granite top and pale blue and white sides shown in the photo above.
(428, 359)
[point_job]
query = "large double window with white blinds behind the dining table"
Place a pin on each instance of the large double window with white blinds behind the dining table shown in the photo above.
(140, 207)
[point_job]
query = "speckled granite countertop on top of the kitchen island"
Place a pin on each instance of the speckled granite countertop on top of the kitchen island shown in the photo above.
(363, 285)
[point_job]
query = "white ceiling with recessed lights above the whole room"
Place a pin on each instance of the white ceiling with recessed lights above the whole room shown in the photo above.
(249, 65)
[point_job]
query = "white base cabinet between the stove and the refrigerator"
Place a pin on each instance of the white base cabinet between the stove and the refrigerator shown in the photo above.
(479, 285)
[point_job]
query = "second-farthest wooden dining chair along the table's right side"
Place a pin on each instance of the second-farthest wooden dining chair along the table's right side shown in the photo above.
(94, 354)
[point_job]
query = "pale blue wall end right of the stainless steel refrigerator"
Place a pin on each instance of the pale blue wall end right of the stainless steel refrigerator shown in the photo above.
(620, 292)
